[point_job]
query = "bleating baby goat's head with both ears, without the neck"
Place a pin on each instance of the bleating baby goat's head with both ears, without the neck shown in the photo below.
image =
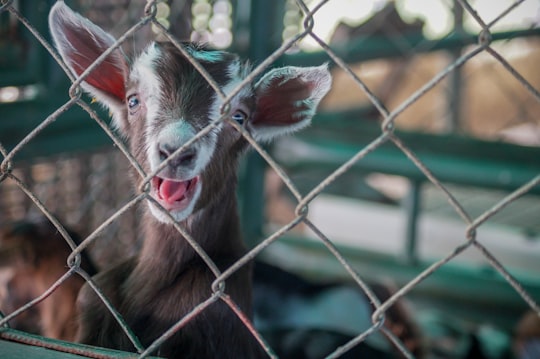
(159, 101)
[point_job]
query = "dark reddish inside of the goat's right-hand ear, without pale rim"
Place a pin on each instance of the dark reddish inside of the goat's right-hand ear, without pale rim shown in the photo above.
(282, 102)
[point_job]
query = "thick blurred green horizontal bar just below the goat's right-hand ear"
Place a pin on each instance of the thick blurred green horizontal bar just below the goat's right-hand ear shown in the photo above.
(451, 158)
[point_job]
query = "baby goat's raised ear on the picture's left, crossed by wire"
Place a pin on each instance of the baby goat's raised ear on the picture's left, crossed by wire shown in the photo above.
(80, 43)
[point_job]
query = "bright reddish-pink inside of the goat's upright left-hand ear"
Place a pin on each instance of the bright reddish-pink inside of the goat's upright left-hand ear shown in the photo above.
(107, 76)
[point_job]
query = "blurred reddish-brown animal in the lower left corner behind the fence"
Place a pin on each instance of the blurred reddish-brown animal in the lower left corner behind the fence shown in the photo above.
(33, 255)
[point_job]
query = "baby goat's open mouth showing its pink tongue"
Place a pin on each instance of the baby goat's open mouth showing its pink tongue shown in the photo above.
(174, 195)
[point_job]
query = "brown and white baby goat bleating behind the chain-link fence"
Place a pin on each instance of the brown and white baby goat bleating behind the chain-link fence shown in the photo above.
(158, 102)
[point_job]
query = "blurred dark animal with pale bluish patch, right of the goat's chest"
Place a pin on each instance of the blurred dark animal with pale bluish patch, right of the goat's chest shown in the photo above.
(303, 319)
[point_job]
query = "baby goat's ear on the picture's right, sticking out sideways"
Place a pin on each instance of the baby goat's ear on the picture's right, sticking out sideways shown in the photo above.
(287, 99)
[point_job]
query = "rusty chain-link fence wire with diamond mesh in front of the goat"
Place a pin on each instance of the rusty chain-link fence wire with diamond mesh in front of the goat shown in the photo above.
(303, 201)
